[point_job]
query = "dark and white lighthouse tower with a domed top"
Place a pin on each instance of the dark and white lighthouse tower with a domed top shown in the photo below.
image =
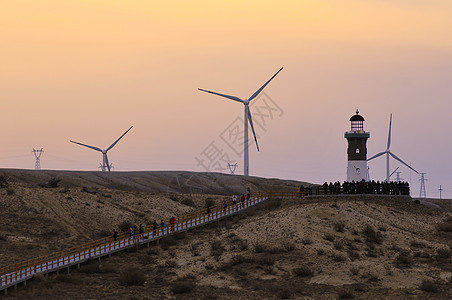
(357, 150)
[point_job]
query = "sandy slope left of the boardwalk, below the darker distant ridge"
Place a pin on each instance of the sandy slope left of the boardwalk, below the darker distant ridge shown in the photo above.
(39, 221)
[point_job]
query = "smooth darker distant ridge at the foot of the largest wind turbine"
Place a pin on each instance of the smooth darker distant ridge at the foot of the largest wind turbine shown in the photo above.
(154, 181)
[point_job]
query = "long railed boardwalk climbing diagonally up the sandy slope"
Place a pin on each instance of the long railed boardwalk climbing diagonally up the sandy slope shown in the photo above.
(13, 274)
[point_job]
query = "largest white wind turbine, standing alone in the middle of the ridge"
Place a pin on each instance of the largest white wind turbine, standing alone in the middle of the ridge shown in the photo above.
(247, 118)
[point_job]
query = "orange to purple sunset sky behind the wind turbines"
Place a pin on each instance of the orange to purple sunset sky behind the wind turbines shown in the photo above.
(88, 70)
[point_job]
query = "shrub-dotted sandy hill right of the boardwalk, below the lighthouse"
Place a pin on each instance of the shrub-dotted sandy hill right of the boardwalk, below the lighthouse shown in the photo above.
(220, 262)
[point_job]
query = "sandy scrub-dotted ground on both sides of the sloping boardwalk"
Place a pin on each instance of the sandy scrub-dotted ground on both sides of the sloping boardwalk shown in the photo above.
(315, 248)
